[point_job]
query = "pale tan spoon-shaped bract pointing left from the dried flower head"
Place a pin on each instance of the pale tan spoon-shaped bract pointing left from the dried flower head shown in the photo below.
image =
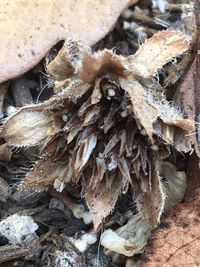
(33, 124)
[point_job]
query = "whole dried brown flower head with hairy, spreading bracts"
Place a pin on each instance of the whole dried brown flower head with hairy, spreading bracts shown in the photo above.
(109, 129)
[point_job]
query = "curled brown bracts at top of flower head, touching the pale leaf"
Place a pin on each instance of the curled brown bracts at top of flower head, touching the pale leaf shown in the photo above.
(73, 58)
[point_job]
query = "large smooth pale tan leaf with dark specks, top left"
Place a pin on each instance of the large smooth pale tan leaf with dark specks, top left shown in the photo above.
(23, 45)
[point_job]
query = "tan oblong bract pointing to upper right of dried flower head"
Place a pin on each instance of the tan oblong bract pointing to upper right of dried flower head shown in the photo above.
(158, 51)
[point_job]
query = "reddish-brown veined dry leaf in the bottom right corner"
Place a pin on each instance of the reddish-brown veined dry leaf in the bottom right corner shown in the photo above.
(177, 242)
